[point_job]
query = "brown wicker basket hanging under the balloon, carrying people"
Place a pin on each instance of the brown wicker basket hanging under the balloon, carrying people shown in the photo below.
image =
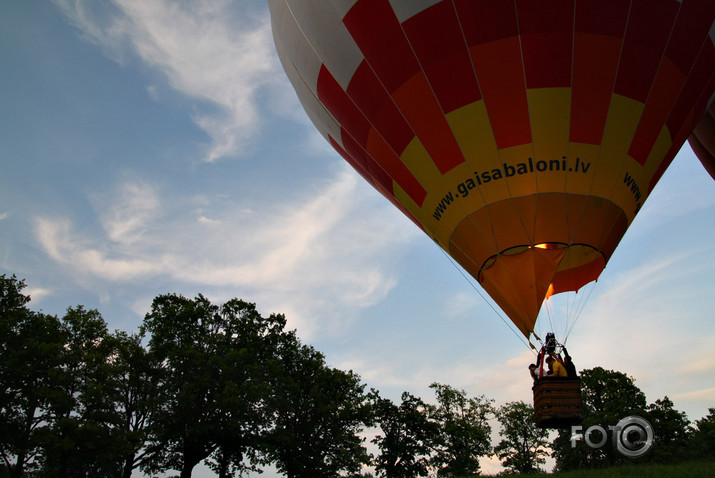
(557, 402)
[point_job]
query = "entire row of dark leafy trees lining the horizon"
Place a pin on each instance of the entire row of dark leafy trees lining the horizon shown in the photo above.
(223, 385)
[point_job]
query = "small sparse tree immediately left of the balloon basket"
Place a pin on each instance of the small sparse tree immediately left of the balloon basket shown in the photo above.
(523, 445)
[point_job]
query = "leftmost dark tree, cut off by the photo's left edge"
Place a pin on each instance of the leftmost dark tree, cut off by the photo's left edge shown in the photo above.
(31, 346)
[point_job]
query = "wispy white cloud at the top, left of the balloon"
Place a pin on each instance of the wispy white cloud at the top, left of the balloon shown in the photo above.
(205, 49)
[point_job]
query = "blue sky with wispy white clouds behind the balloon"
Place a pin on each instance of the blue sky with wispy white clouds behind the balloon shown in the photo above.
(157, 147)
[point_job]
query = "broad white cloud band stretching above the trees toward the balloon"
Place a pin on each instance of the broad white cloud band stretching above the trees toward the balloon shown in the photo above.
(324, 255)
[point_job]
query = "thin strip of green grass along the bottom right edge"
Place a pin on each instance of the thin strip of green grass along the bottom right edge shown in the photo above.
(693, 469)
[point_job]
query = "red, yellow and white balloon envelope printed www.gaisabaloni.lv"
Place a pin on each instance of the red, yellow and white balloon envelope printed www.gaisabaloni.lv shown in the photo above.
(522, 136)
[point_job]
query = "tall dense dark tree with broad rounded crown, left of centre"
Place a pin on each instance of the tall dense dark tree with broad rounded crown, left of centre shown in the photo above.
(214, 361)
